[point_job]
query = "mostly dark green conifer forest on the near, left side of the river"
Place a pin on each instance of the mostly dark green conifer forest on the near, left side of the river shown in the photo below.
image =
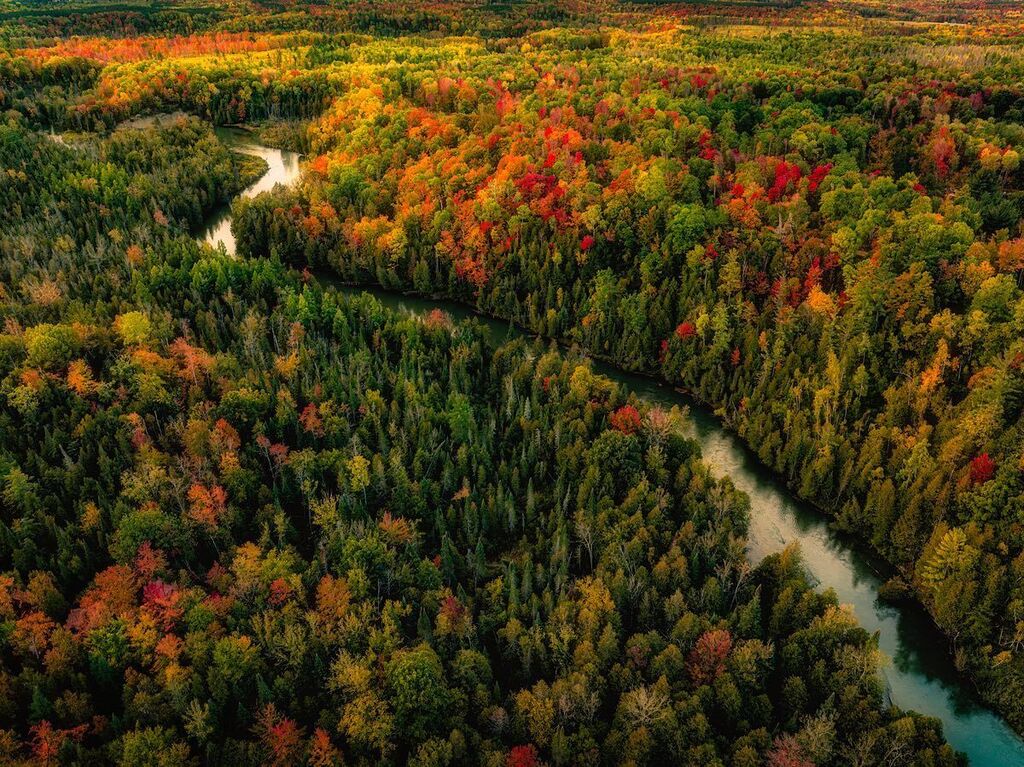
(247, 522)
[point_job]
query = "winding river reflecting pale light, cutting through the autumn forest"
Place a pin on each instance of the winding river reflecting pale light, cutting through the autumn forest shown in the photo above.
(920, 675)
